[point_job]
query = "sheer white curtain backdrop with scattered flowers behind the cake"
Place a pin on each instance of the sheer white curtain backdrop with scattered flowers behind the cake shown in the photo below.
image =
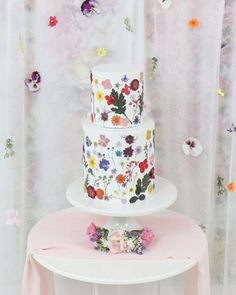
(189, 51)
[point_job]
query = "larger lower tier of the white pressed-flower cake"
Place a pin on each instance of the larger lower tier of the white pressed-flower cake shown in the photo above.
(119, 164)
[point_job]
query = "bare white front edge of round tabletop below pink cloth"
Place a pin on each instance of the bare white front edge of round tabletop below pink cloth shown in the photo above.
(115, 272)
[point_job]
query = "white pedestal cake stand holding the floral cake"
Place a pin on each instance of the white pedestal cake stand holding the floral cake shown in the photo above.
(122, 215)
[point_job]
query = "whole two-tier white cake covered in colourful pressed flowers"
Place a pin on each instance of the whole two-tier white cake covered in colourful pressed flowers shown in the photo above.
(118, 147)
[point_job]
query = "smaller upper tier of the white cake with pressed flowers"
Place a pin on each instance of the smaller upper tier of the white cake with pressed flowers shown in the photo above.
(117, 95)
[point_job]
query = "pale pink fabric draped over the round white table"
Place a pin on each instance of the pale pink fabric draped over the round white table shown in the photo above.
(64, 234)
